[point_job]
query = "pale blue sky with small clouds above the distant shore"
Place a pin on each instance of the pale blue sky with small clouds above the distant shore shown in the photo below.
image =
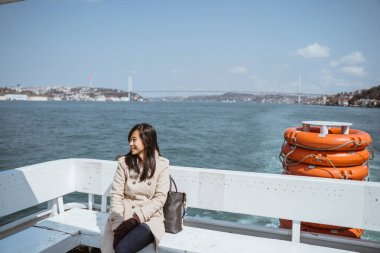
(328, 46)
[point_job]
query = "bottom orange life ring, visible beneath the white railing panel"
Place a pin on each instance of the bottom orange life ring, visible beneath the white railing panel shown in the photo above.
(346, 232)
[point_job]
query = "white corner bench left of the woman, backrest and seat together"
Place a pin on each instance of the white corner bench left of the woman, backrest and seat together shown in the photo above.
(50, 181)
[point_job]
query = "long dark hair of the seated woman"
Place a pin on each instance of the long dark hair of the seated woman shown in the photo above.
(149, 138)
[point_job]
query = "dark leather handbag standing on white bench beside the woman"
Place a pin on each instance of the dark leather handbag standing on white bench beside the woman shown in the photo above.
(174, 209)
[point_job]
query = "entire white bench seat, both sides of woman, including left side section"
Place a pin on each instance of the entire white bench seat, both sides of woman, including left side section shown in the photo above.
(84, 227)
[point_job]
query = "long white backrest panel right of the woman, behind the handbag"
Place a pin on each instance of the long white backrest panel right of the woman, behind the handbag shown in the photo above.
(328, 201)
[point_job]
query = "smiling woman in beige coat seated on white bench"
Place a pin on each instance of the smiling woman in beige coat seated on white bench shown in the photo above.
(139, 191)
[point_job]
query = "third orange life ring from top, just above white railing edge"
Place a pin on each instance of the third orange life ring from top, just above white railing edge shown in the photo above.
(353, 173)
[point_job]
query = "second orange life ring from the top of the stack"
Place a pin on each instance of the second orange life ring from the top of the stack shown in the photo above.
(326, 158)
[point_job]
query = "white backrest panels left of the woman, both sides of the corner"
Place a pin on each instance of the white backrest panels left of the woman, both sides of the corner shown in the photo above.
(28, 185)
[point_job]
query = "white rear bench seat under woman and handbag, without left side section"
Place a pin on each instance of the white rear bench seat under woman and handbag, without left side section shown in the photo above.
(90, 224)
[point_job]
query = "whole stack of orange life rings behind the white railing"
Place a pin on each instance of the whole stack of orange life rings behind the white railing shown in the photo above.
(337, 153)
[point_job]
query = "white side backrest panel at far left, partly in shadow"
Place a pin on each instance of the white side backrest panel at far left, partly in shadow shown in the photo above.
(28, 186)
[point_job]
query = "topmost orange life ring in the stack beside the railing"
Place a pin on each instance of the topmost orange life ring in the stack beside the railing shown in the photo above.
(334, 140)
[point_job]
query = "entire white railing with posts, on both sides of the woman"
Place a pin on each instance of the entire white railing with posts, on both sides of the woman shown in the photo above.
(328, 201)
